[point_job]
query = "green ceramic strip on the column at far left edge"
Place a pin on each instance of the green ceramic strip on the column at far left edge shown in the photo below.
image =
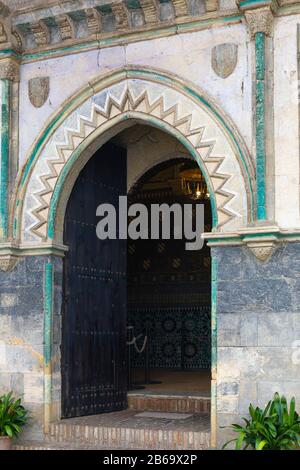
(4, 155)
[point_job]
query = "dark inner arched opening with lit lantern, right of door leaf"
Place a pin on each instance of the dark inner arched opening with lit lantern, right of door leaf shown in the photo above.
(168, 291)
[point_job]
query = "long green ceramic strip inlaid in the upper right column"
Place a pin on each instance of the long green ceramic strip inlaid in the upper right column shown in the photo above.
(260, 126)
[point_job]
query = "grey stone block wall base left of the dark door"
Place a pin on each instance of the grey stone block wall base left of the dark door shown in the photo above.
(22, 294)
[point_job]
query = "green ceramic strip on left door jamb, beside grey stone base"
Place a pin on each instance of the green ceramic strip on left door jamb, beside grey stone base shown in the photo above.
(48, 312)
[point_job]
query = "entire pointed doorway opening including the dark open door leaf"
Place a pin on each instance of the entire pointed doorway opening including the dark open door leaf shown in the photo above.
(152, 288)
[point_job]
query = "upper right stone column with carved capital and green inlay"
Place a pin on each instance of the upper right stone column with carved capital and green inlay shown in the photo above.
(260, 22)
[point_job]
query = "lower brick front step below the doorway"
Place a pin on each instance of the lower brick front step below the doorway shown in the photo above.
(128, 430)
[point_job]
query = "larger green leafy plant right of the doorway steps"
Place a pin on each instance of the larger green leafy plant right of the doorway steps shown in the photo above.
(276, 427)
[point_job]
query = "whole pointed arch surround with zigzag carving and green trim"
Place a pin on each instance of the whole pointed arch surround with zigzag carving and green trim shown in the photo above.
(100, 116)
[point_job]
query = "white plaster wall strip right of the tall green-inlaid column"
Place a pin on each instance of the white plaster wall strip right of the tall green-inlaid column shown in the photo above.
(286, 122)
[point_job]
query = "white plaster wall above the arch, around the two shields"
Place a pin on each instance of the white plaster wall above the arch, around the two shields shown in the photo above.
(187, 55)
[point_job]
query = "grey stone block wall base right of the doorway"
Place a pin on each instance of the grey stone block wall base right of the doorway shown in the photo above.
(258, 321)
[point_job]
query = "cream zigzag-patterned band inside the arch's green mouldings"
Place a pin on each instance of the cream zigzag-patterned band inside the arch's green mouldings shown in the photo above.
(146, 99)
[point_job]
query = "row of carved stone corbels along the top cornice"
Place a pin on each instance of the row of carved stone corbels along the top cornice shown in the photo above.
(44, 26)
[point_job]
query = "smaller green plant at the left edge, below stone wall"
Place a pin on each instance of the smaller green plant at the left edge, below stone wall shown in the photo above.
(13, 415)
